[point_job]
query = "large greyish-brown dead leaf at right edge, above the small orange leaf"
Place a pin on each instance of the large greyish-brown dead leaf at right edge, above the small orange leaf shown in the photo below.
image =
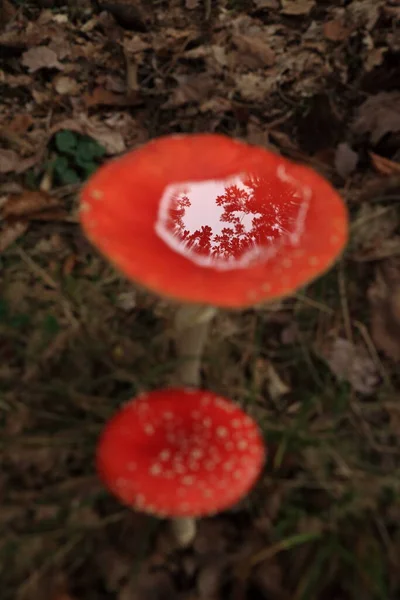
(379, 115)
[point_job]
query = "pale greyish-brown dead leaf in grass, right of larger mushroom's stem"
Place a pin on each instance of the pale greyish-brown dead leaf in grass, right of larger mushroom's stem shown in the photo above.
(350, 362)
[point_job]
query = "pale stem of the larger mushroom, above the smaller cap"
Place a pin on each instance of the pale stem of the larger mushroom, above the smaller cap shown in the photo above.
(191, 328)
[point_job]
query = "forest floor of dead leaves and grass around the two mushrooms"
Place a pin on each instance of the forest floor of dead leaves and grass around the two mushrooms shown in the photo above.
(315, 80)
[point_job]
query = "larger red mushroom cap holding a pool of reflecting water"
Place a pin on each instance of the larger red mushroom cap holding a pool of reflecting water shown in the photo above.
(207, 219)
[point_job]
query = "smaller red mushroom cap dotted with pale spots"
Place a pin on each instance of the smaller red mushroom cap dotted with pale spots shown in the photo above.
(180, 452)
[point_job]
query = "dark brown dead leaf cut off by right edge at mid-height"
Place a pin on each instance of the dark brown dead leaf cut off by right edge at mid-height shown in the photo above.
(384, 297)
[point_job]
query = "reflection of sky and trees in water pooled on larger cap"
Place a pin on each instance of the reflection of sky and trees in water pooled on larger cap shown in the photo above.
(252, 216)
